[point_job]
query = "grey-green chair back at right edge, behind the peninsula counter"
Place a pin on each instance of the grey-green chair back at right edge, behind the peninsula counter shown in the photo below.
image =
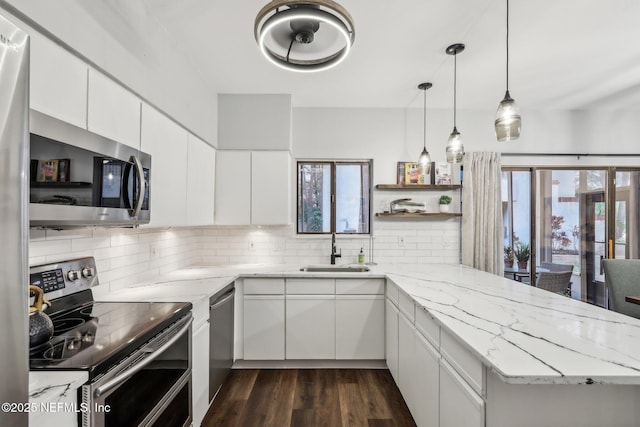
(622, 277)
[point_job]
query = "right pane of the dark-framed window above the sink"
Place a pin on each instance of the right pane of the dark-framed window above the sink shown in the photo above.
(352, 198)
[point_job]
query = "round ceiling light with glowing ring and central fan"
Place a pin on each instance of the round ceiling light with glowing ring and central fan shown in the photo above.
(304, 35)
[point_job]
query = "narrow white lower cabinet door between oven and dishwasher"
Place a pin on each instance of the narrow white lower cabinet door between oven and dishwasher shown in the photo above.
(200, 372)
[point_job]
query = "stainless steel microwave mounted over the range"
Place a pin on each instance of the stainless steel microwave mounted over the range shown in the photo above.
(81, 179)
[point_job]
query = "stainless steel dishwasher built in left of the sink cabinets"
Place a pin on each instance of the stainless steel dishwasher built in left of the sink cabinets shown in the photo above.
(220, 338)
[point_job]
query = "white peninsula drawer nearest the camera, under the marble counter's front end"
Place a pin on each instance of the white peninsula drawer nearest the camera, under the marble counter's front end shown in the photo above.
(464, 362)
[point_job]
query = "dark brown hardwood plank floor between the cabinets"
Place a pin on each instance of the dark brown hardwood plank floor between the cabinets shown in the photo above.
(309, 398)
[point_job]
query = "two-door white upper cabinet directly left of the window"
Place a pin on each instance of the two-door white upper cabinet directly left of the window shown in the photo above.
(253, 187)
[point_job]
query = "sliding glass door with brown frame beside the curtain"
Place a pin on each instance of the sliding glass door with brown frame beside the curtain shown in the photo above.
(573, 218)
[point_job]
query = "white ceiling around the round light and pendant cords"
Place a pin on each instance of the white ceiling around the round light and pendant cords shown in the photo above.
(565, 54)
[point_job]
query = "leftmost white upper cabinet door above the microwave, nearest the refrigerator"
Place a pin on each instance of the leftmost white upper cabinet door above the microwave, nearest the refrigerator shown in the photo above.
(58, 82)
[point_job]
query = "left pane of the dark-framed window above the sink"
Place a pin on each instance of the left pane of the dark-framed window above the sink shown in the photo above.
(314, 197)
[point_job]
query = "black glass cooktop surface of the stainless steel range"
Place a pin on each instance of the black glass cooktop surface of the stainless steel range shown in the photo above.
(96, 335)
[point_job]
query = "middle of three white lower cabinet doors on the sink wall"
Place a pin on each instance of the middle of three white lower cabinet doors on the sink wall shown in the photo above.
(311, 327)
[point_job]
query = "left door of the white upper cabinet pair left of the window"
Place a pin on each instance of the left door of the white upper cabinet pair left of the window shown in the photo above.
(233, 188)
